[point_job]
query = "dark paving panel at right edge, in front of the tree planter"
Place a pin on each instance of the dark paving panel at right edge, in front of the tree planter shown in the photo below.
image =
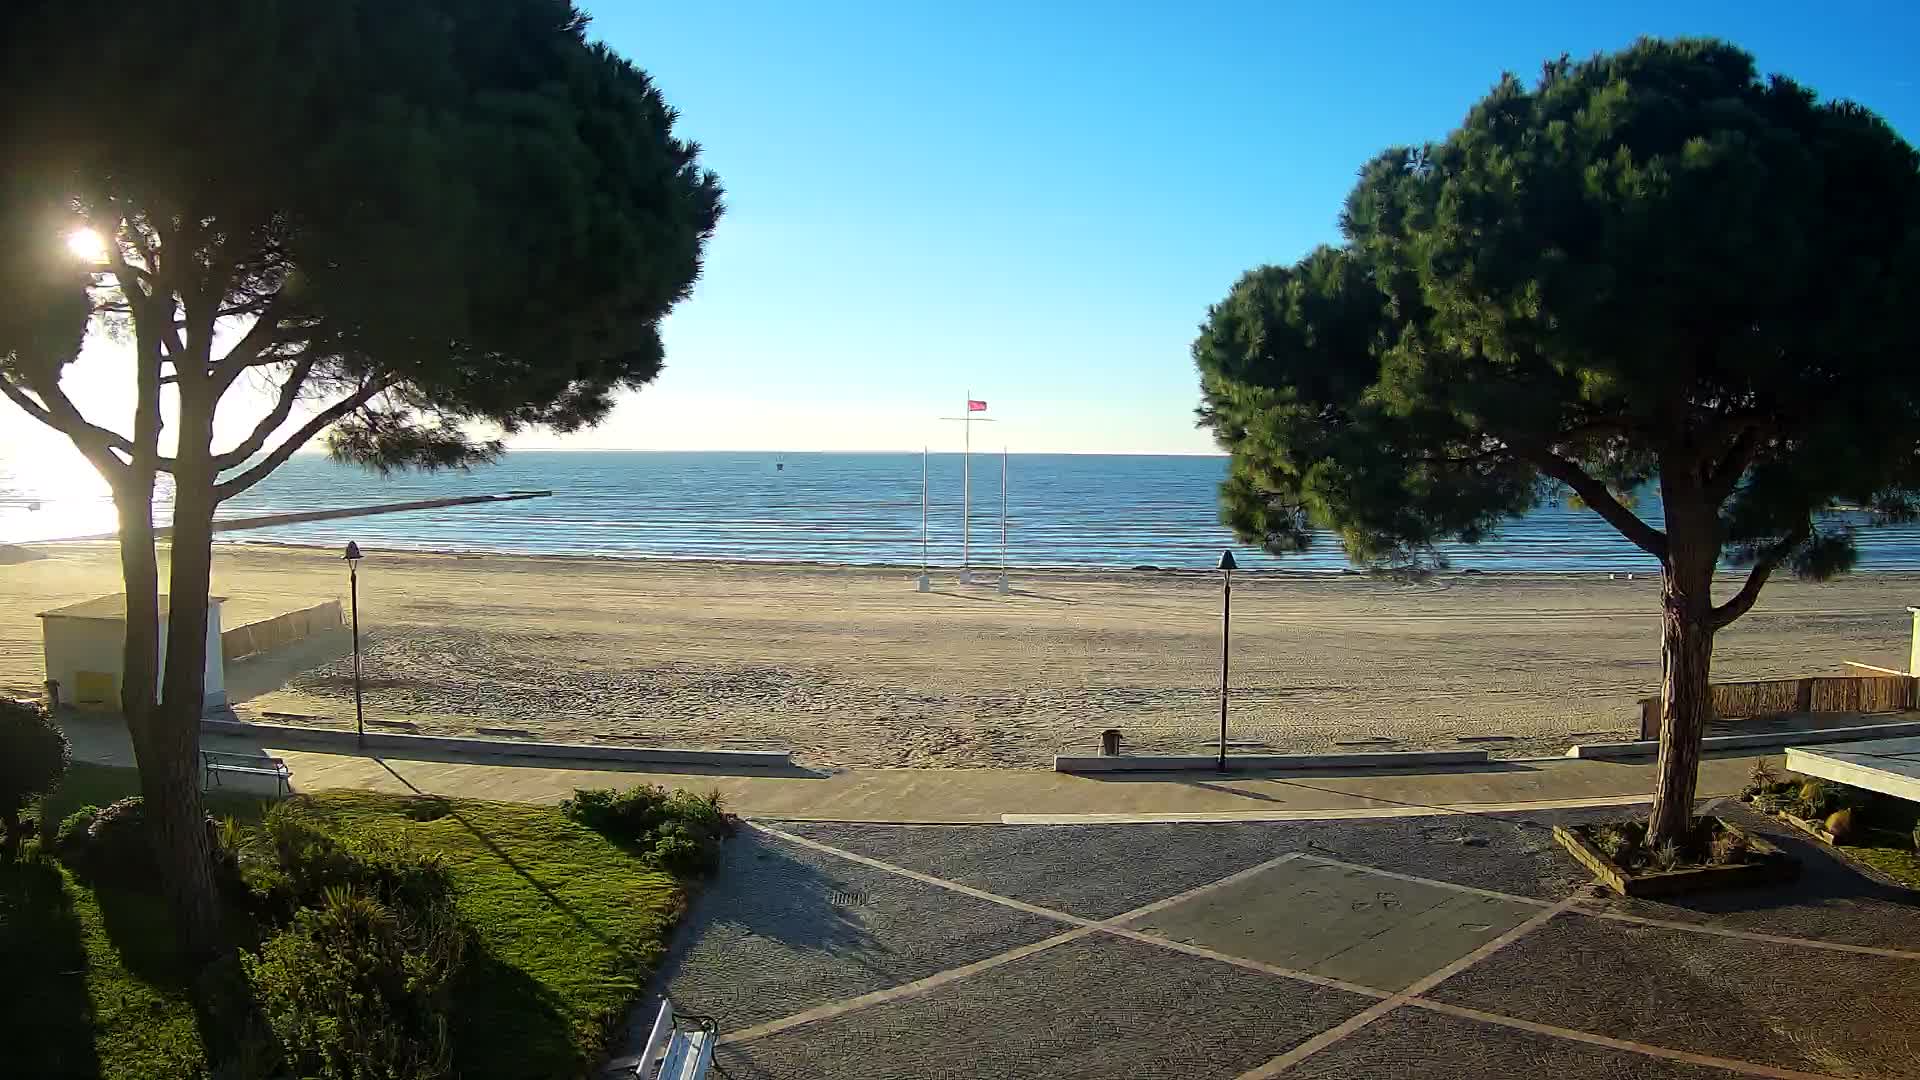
(1785, 1006)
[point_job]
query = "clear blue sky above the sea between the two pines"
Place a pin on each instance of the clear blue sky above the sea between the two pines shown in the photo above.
(1038, 203)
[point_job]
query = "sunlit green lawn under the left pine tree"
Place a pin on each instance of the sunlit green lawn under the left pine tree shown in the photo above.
(567, 929)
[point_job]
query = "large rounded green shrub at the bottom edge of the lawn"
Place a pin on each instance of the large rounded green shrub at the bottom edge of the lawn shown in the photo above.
(358, 989)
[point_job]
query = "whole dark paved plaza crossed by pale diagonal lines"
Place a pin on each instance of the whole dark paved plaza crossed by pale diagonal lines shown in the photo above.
(1356, 950)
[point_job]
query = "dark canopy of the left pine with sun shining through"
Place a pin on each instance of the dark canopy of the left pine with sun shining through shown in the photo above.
(412, 214)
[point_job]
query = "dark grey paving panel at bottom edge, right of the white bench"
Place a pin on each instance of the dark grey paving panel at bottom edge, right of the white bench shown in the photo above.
(1093, 1008)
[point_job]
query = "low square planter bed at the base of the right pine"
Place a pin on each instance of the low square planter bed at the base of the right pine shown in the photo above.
(1716, 854)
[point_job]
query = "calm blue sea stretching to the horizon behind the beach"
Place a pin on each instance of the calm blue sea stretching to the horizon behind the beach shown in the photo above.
(834, 508)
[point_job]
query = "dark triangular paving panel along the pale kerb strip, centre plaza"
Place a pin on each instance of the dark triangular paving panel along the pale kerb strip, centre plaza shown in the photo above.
(1093, 871)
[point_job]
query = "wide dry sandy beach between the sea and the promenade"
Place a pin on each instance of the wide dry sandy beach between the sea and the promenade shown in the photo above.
(853, 668)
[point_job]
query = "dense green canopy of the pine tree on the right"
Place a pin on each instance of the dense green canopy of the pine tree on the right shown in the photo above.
(1648, 266)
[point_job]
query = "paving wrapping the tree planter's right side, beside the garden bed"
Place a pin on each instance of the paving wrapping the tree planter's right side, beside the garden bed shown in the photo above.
(1831, 902)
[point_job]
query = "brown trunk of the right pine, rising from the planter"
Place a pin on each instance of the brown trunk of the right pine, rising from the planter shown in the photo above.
(1687, 689)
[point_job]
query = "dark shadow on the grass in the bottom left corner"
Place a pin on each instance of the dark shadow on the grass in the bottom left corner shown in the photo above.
(49, 1019)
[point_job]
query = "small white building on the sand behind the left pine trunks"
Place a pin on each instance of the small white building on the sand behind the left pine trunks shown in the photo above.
(85, 645)
